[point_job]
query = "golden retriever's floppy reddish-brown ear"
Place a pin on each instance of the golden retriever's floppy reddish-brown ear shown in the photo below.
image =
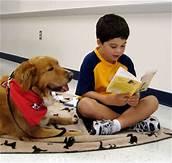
(24, 75)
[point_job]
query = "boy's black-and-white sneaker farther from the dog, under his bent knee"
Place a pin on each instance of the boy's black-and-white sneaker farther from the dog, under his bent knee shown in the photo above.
(149, 125)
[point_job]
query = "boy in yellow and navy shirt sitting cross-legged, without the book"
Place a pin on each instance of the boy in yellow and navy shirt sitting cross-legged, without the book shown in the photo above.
(110, 112)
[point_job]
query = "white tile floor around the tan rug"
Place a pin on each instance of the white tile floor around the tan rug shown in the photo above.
(159, 152)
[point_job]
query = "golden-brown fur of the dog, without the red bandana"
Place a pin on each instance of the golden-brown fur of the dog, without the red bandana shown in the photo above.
(42, 75)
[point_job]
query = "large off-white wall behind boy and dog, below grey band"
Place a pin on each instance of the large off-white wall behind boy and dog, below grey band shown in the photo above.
(69, 38)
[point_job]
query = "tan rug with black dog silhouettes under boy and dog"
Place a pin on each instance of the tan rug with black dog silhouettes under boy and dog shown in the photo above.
(84, 142)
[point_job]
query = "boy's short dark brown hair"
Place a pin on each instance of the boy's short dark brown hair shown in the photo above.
(111, 26)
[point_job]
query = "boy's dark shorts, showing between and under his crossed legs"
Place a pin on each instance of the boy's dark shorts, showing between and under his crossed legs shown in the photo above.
(117, 109)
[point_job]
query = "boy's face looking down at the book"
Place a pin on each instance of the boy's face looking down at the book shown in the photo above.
(111, 50)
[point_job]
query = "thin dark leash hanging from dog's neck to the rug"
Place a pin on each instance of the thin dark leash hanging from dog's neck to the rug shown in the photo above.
(11, 111)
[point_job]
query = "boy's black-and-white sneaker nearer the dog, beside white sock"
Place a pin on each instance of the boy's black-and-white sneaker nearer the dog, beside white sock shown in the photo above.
(102, 127)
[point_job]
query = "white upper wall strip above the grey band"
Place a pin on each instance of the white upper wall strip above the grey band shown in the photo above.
(14, 6)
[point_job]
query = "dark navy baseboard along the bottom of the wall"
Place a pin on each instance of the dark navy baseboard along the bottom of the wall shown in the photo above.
(165, 98)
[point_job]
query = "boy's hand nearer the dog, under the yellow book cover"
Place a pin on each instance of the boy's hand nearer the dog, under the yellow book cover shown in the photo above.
(116, 99)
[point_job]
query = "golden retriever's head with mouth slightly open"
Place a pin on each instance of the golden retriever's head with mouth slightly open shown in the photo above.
(42, 74)
